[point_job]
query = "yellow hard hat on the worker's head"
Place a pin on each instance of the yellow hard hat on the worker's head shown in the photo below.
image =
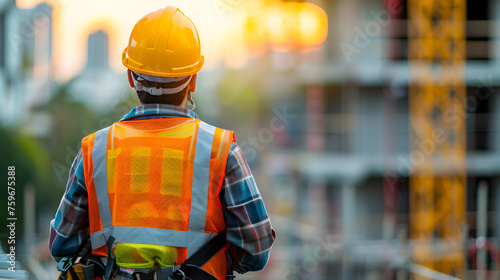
(164, 43)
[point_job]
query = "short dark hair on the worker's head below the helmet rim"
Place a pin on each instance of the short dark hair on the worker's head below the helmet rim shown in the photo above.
(171, 99)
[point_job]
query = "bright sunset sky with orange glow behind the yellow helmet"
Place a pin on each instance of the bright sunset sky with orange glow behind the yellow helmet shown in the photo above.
(230, 31)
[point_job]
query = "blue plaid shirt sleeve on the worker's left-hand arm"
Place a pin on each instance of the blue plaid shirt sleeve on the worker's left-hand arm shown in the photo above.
(70, 228)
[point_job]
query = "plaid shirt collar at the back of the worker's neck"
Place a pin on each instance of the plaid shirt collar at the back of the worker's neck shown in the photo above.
(150, 111)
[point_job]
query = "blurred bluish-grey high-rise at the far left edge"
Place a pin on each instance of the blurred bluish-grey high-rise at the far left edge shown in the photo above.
(25, 57)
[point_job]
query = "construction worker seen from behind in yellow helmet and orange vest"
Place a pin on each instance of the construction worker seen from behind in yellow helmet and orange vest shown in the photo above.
(161, 193)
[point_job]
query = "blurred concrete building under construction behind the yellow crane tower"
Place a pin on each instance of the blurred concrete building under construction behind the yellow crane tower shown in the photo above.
(341, 165)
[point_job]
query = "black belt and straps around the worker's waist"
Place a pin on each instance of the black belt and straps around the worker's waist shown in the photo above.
(189, 270)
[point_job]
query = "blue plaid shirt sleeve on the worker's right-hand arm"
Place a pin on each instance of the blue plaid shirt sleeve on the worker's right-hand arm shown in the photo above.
(249, 229)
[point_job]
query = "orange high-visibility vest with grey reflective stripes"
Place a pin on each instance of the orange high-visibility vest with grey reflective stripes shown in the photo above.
(154, 186)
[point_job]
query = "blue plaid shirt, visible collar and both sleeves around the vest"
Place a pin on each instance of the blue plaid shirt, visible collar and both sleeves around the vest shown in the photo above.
(248, 227)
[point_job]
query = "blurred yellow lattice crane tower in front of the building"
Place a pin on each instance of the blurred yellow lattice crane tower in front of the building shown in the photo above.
(437, 96)
